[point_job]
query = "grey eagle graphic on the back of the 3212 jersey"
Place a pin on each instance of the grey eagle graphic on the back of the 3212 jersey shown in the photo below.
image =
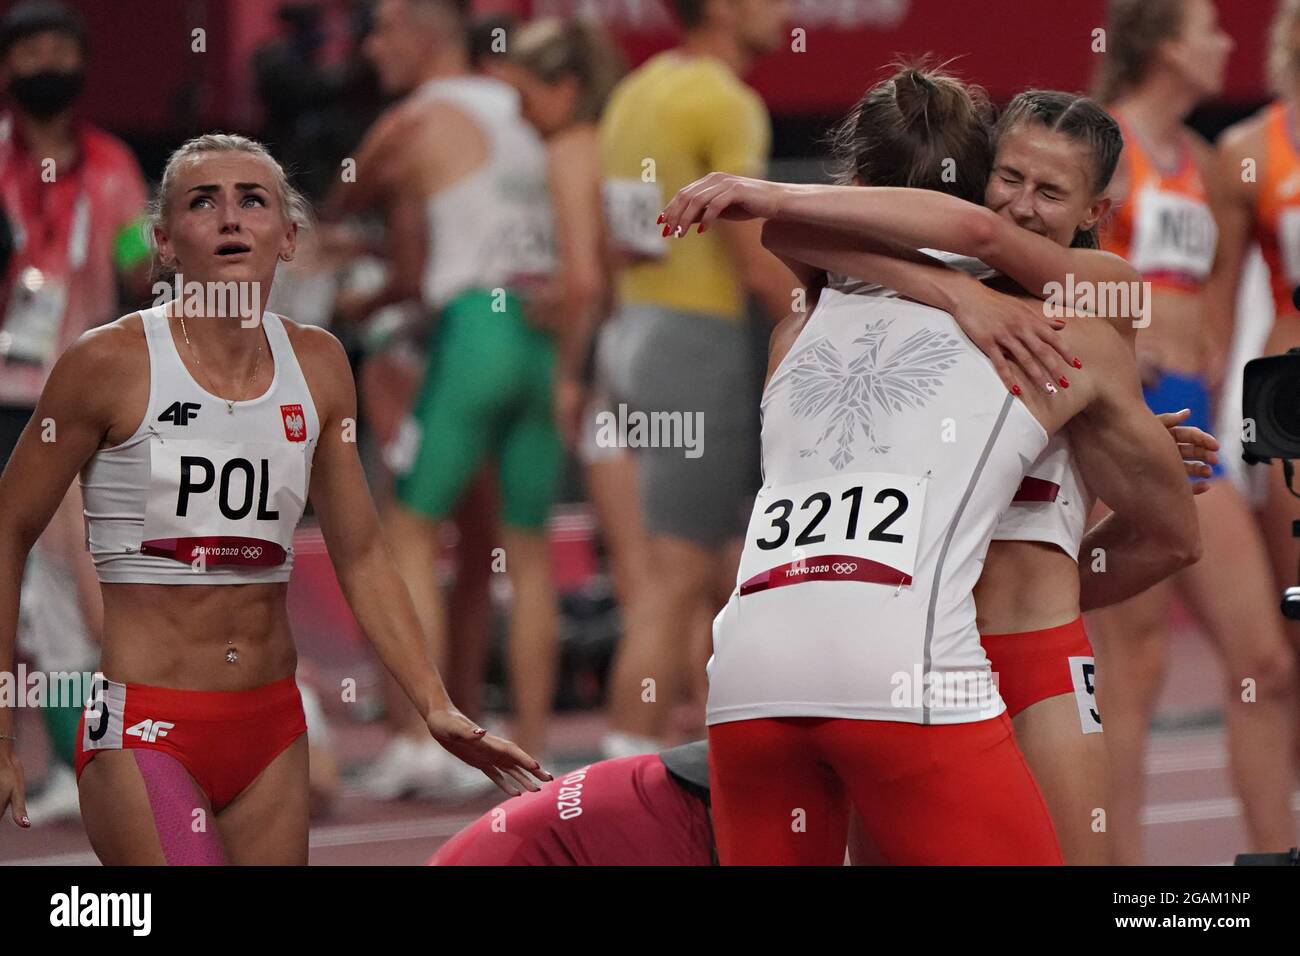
(852, 393)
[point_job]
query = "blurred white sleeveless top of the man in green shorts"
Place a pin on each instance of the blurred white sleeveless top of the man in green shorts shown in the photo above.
(496, 227)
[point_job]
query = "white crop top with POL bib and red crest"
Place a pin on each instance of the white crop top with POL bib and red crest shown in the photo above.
(202, 494)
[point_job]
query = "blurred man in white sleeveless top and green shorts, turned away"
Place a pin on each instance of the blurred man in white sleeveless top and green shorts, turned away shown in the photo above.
(461, 180)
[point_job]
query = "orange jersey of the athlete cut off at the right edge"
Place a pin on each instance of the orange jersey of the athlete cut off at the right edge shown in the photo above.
(1277, 214)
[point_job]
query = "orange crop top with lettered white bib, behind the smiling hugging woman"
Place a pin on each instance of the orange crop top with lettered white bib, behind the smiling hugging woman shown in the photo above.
(1164, 224)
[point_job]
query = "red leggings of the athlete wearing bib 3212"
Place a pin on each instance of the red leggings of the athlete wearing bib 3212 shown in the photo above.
(929, 795)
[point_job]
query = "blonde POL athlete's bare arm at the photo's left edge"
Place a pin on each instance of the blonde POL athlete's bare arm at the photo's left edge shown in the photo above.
(76, 412)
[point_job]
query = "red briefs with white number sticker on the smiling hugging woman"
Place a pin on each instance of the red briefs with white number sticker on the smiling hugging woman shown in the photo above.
(1037, 665)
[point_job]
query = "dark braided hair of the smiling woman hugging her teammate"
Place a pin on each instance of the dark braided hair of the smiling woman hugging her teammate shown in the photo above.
(1082, 120)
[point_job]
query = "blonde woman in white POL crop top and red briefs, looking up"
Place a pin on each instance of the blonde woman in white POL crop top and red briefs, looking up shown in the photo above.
(201, 431)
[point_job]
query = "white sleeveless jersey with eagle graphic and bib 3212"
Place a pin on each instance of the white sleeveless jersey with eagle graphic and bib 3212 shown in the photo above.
(890, 451)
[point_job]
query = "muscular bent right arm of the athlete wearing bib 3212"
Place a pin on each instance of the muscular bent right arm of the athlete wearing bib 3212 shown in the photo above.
(1130, 461)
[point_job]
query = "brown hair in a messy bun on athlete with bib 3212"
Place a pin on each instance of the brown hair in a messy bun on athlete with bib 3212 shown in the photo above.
(922, 129)
